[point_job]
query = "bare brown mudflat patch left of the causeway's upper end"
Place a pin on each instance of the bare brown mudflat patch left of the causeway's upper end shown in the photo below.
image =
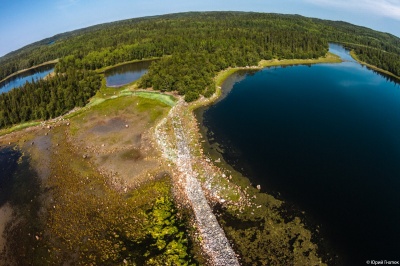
(118, 144)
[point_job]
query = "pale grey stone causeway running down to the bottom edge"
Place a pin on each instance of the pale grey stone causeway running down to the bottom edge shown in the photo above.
(213, 239)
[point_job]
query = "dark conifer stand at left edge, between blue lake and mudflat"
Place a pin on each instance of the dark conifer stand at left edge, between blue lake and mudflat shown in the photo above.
(48, 98)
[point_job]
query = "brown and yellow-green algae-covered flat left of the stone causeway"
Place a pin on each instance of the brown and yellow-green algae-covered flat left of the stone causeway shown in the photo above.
(98, 193)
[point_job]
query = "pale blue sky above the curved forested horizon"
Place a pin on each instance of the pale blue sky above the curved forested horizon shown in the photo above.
(25, 21)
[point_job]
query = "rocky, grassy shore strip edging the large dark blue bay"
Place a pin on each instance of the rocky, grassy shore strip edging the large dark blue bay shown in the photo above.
(252, 198)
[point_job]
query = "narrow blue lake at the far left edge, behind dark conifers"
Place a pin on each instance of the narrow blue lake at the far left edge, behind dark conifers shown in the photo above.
(27, 76)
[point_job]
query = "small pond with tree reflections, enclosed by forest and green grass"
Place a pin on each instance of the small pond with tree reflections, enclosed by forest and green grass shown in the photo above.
(127, 73)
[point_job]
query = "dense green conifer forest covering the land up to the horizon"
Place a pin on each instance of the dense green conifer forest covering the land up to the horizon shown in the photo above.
(193, 47)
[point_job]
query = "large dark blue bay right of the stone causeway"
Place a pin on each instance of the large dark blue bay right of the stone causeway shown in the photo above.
(325, 138)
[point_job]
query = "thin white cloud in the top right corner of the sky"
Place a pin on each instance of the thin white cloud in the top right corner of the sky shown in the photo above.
(384, 8)
